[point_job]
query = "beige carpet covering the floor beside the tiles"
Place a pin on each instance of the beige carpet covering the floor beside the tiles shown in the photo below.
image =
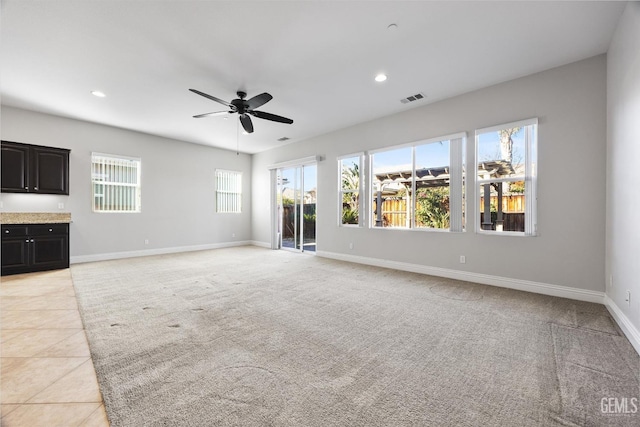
(253, 337)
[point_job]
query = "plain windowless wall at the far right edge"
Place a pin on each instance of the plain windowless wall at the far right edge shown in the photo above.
(623, 179)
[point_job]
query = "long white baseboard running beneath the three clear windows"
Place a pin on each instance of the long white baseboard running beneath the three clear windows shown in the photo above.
(485, 279)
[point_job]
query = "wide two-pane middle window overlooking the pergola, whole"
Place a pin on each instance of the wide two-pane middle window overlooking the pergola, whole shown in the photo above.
(420, 185)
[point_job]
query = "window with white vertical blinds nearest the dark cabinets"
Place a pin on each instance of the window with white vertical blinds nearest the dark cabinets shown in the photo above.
(115, 182)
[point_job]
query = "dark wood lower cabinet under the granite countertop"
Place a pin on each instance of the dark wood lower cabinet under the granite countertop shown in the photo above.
(34, 247)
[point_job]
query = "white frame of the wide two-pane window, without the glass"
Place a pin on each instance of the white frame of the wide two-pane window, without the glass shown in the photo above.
(457, 207)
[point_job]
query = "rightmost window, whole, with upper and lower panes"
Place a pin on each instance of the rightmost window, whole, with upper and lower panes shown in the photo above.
(506, 178)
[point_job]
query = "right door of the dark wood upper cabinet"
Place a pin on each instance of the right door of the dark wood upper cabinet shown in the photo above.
(49, 170)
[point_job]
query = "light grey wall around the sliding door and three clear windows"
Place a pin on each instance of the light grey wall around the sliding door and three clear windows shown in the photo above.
(569, 251)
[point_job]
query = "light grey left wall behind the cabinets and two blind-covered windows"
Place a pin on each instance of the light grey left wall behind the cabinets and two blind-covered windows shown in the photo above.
(178, 197)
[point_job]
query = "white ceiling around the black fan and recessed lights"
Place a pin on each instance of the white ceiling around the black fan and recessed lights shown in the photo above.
(317, 58)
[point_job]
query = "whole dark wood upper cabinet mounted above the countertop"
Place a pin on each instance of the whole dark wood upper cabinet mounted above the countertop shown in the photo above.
(34, 169)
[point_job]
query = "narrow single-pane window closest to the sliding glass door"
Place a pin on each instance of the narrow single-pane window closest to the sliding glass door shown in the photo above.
(350, 185)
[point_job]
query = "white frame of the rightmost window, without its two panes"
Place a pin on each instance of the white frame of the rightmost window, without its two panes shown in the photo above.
(530, 178)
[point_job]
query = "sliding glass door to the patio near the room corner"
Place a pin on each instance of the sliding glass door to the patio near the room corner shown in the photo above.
(296, 201)
